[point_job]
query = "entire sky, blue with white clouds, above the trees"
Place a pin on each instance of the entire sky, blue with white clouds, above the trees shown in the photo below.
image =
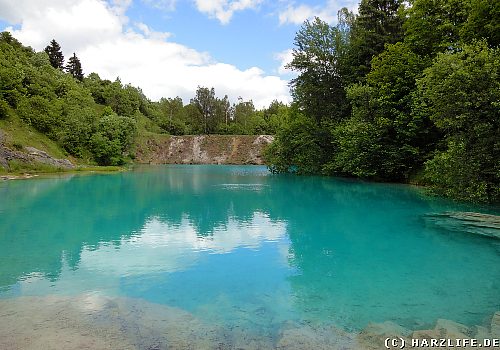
(169, 47)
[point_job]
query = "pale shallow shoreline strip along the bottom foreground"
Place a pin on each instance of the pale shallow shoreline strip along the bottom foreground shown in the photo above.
(92, 320)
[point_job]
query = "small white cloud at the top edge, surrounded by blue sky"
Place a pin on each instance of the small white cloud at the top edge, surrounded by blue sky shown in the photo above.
(223, 10)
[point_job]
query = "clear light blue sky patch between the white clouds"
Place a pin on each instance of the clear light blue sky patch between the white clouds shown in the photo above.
(251, 38)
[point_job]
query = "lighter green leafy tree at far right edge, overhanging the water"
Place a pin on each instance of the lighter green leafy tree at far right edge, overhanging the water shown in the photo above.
(461, 92)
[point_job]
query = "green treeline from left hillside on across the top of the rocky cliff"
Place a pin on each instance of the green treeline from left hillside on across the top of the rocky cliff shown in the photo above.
(100, 120)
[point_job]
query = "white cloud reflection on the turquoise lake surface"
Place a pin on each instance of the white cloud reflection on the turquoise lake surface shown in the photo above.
(162, 247)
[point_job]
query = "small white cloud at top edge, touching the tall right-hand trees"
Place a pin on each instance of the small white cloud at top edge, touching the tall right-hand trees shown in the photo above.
(298, 14)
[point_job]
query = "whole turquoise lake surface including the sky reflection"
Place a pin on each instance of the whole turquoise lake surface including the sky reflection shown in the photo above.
(241, 249)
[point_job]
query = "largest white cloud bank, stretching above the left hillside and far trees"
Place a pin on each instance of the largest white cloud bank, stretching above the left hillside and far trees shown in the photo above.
(95, 30)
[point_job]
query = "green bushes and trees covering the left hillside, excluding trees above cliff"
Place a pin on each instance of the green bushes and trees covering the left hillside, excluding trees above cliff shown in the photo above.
(58, 106)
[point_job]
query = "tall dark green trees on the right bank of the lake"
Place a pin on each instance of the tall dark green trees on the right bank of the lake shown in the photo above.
(402, 91)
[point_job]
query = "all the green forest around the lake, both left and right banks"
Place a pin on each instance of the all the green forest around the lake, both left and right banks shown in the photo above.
(402, 91)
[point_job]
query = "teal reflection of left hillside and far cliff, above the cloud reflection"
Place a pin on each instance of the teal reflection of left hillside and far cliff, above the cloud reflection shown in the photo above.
(42, 220)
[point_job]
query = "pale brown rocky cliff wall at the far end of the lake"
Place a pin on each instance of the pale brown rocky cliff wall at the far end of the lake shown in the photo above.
(204, 149)
